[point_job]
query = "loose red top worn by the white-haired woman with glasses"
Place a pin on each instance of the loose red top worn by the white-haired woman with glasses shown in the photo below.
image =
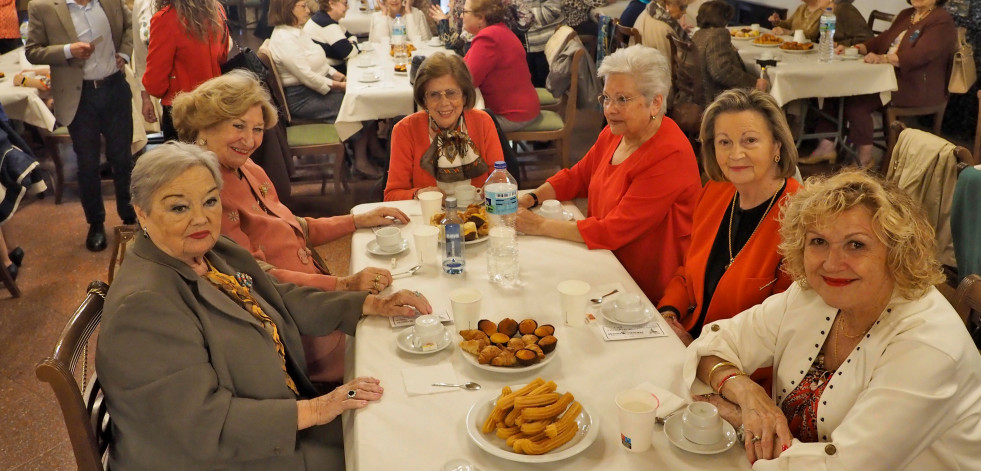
(640, 209)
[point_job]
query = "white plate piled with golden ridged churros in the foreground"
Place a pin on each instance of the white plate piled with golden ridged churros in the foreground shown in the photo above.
(549, 425)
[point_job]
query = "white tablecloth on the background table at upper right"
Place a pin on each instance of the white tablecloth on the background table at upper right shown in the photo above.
(799, 76)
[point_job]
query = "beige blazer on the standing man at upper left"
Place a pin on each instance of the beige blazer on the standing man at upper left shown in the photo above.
(51, 28)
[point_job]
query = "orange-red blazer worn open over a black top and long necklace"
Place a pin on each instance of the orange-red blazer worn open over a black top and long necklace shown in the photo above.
(753, 276)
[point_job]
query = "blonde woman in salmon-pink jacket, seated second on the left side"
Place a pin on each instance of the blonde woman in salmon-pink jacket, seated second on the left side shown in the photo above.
(228, 115)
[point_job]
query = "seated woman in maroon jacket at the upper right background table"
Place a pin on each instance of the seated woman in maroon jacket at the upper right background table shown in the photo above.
(920, 44)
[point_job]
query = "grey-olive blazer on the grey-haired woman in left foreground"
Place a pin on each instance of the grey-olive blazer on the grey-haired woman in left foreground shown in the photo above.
(192, 380)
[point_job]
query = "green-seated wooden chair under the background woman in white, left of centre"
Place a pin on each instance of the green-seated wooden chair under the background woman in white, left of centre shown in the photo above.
(305, 137)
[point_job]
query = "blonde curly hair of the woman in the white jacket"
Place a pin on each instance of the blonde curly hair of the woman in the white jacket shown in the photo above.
(898, 222)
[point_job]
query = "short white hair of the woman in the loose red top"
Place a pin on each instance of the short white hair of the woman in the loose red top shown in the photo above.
(648, 67)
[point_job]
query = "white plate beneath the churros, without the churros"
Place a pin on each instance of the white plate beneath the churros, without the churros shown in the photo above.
(588, 431)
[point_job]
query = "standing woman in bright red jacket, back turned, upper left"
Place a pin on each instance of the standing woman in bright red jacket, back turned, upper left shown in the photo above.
(188, 44)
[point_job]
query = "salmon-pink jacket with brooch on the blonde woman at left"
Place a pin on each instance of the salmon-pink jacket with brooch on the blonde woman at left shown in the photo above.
(276, 238)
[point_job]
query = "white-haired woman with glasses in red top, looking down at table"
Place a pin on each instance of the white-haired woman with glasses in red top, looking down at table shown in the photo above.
(641, 176)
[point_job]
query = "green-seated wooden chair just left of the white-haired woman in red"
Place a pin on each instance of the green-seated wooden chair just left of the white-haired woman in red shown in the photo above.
(553, 127)
